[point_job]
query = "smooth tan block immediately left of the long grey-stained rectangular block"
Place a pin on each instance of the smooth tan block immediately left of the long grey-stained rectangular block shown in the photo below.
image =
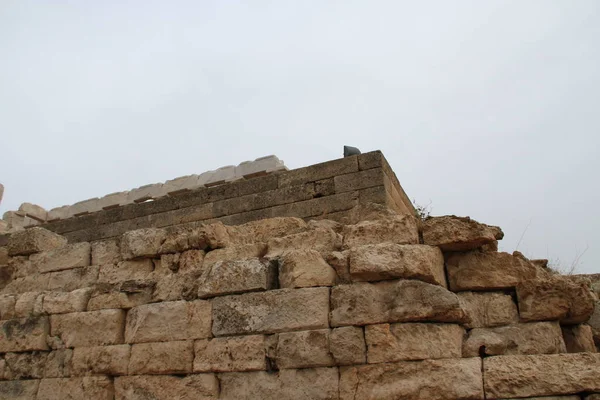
(168, 321)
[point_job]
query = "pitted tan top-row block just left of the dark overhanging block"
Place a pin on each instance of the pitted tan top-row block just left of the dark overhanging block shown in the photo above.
(399, 229)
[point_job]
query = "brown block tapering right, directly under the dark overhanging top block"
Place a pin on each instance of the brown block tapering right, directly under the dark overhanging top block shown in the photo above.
(488, 271)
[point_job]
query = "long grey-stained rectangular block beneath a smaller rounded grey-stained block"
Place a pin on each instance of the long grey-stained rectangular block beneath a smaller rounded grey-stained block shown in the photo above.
(271, 312)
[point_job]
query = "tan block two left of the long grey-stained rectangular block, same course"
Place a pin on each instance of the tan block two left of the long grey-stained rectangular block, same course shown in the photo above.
(88, 329)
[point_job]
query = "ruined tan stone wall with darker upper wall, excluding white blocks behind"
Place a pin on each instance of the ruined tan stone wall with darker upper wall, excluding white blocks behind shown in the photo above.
(315, 283)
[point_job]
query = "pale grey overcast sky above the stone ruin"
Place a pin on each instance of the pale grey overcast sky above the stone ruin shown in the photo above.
(489, 109)
